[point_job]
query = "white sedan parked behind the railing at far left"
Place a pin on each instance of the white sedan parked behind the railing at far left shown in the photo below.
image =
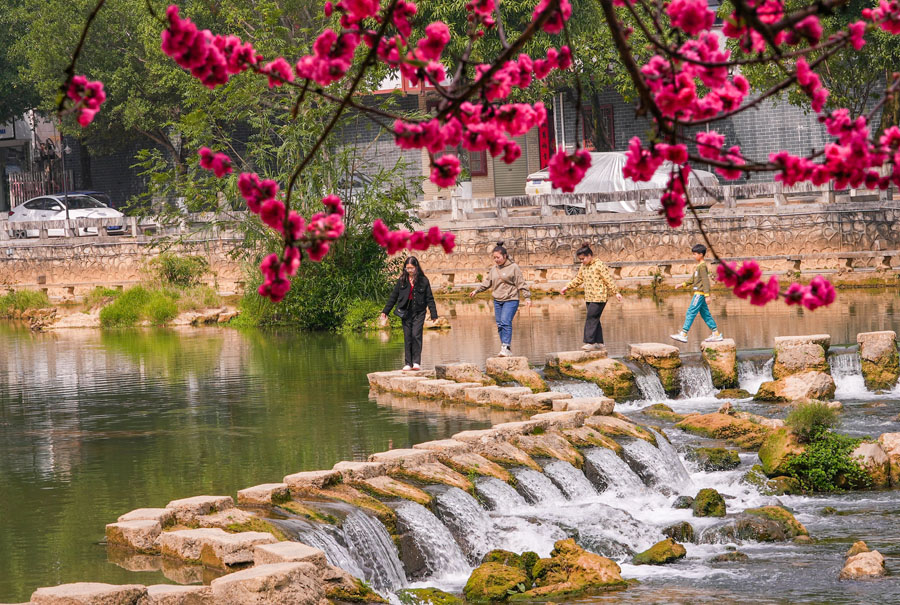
(53, 208)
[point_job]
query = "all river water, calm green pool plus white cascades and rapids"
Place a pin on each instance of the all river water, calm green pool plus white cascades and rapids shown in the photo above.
(93, 424)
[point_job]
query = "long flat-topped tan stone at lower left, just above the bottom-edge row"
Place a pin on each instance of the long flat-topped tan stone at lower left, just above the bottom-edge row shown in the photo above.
(213, 547)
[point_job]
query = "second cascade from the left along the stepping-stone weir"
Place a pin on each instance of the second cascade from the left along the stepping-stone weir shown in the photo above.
(374, 550)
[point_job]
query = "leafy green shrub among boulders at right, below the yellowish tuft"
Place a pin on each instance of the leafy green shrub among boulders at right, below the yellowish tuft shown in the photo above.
(826, 465)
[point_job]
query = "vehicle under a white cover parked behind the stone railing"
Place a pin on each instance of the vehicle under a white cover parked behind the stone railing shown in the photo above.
(605, 176)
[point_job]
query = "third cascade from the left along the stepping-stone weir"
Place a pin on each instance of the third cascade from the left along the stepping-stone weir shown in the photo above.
(440, 552)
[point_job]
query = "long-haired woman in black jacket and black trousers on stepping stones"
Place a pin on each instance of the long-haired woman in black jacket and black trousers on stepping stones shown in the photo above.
(412, 296)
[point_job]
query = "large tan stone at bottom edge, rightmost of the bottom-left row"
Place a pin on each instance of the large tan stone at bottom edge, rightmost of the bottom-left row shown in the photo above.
(272, 584)
